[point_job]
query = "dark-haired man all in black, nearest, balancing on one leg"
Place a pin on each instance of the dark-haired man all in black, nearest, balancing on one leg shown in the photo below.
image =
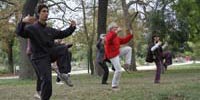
(44, 49)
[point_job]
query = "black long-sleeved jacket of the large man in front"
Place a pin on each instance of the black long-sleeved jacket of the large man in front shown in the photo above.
(41, 37)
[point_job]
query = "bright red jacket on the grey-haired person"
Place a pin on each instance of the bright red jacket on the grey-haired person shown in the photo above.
(113, 42)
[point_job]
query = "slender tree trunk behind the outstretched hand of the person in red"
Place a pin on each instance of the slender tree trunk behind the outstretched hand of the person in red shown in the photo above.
(128, 24)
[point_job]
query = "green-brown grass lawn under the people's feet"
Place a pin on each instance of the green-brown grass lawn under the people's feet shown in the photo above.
(178, 83)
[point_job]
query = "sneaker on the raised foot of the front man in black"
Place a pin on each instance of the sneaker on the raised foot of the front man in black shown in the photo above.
(66, 78)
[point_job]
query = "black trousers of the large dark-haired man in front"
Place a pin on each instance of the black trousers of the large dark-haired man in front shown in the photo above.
(42, 68)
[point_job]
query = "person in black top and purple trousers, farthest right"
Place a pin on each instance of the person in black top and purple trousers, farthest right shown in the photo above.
(161, 59)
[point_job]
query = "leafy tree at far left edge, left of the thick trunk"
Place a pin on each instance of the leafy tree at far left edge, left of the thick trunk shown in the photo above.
(8, 11)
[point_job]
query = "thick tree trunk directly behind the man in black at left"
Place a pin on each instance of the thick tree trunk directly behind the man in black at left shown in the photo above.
(26, 69)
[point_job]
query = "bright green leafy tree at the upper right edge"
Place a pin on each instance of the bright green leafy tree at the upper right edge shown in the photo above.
(187, 15)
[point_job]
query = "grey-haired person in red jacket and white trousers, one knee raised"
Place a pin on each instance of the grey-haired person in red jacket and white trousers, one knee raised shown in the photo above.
(113, 51)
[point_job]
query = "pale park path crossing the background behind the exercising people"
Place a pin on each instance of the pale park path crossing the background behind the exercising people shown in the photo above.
(139, 68)
